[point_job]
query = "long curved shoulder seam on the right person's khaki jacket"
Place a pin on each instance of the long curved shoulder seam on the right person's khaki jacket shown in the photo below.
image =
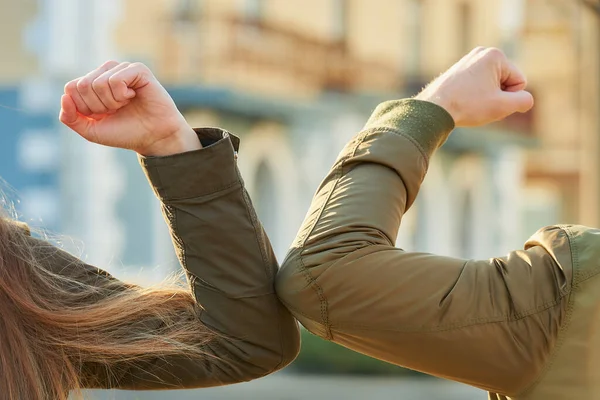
(567, 321)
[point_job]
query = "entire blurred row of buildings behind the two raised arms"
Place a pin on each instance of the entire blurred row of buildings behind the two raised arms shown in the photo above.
(296, 79)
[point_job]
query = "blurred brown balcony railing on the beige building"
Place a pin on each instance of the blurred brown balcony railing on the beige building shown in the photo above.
(246, 49)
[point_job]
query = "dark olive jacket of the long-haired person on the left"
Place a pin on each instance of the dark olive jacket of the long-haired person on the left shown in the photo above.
(231, 268)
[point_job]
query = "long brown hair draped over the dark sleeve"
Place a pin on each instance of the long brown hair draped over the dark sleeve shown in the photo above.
(61, 318)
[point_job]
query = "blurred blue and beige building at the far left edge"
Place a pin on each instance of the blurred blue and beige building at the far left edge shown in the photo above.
(29, 158)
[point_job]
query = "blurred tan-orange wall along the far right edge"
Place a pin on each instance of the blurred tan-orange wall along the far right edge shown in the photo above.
(559, 52)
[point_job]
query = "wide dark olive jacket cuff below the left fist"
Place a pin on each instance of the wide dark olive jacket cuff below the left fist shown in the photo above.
(196, 173)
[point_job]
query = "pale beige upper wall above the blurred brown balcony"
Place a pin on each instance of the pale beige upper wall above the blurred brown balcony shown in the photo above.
(377, 30)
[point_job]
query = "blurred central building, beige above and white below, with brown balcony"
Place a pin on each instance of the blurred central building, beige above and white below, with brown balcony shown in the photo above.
(296, 79)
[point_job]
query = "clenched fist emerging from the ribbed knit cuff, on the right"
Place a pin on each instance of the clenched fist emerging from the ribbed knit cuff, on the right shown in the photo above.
(483, 87)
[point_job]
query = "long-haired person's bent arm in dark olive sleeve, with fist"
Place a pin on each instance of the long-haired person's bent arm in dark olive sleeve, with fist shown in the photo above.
(219, 241)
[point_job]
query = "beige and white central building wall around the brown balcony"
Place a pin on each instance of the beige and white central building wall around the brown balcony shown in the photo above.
(284, 159)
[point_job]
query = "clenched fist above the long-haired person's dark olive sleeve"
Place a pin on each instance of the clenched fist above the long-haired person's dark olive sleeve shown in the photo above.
(123, 105)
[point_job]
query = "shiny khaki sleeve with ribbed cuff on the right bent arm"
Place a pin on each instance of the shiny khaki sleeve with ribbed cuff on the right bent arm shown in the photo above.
(488, 323)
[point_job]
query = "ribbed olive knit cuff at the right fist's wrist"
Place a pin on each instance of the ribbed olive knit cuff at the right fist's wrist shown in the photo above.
(427, 123)
